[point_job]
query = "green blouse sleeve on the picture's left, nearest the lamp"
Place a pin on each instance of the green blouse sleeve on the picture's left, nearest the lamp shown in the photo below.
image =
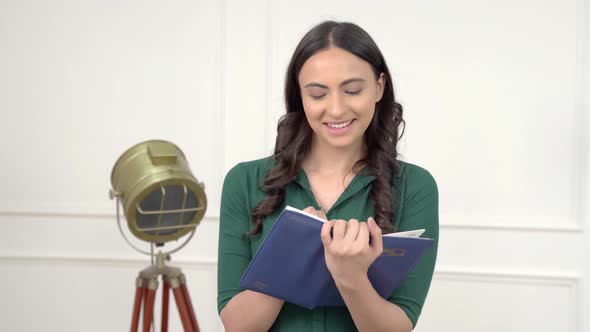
(234, 253)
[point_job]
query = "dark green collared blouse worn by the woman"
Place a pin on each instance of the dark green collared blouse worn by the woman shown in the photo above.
(415, 198)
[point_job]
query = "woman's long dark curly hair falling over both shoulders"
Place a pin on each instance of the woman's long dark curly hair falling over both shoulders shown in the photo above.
(294, 133)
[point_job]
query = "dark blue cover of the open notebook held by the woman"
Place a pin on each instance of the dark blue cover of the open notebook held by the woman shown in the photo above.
(290, 263)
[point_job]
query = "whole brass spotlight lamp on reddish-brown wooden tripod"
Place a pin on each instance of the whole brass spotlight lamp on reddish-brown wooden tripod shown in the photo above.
(162, 201)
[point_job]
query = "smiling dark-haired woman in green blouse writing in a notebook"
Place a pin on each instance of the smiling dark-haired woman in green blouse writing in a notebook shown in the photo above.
(335, 156)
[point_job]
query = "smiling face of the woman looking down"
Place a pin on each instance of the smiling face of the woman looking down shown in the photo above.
(339, 92)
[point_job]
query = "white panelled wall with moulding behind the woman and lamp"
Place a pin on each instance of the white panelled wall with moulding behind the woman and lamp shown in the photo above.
(496, 99)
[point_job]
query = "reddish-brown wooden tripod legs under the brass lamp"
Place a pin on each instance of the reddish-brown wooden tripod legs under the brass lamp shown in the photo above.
(145, 293)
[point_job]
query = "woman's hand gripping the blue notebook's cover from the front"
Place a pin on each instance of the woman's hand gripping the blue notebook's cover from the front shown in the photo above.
(348, 251)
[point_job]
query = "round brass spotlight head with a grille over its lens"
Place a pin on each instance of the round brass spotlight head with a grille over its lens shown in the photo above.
(161, 199)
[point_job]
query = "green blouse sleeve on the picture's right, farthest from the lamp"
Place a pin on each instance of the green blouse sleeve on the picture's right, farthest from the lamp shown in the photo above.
(419, 209)
